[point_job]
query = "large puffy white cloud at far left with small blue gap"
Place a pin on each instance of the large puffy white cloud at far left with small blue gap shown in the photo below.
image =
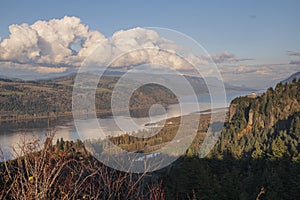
(48, 42)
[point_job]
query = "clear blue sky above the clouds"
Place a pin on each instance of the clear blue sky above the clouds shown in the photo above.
(261, 29)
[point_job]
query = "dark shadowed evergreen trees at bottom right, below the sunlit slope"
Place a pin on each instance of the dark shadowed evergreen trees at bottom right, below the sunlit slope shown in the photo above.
(231, 178)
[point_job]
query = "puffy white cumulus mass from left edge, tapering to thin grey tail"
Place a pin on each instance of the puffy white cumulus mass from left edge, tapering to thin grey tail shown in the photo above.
(58, 45)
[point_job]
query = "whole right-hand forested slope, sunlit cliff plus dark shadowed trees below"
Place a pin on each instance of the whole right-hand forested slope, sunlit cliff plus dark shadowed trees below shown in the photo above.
(258, 156)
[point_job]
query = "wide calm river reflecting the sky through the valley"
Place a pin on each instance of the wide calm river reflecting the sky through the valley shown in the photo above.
(12, 134)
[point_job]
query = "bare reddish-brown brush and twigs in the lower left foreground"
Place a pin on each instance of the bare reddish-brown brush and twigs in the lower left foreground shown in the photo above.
(47, 172)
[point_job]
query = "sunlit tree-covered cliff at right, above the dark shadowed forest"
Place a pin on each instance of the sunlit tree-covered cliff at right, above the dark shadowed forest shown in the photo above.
(264, 126)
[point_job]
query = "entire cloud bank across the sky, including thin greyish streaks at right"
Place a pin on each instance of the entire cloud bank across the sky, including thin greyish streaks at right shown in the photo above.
(57, 46)
